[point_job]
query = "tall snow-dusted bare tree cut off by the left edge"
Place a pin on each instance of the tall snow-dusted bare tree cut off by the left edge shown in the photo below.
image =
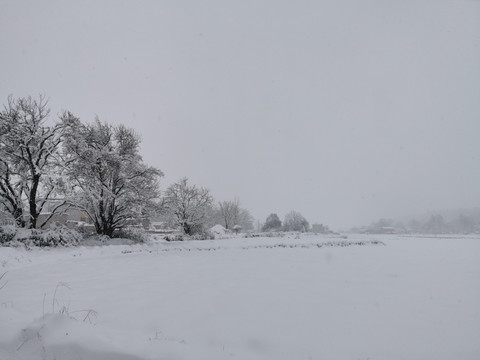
(28, 167)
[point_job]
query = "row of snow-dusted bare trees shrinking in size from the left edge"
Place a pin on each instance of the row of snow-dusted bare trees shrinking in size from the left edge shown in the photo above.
(52, 167)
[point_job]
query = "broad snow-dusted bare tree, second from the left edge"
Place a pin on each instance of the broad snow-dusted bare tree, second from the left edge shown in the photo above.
(109, 180)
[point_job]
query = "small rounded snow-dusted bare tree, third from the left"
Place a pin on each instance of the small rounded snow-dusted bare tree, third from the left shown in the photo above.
(188, 205)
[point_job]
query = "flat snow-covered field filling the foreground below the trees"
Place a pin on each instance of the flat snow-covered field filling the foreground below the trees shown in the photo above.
(296, 297)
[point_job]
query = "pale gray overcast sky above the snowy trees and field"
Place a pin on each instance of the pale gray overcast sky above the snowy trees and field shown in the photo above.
(346, 111)
